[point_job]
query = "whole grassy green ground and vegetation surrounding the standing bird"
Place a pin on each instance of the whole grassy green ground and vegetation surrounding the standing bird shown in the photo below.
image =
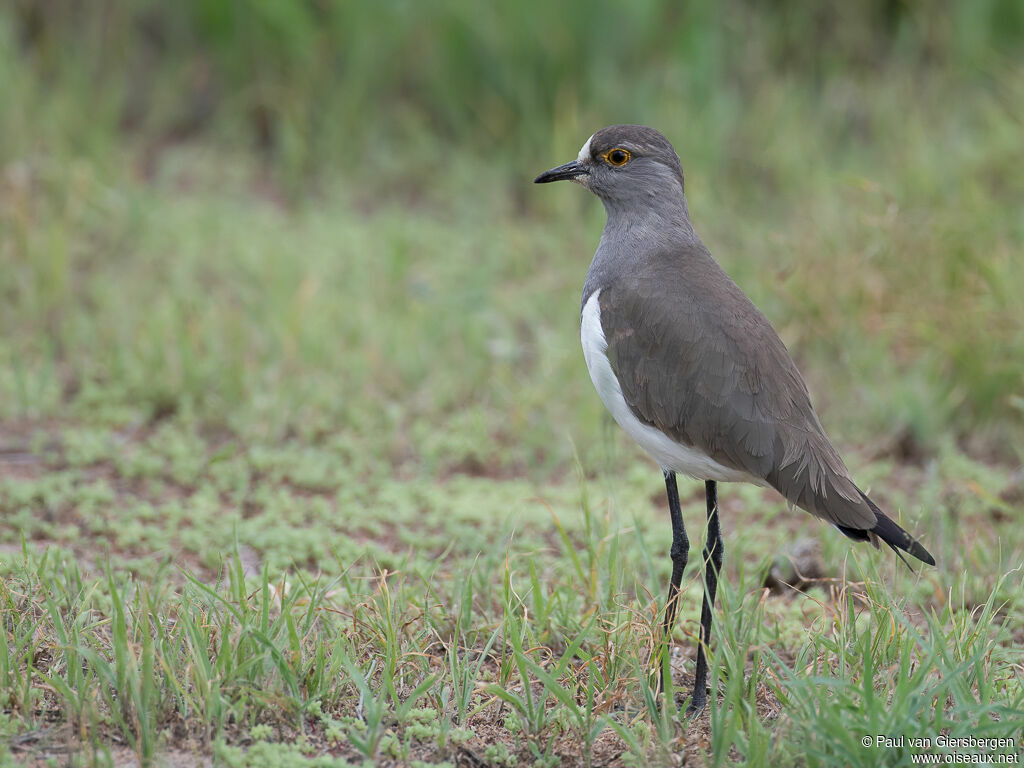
(300, 461)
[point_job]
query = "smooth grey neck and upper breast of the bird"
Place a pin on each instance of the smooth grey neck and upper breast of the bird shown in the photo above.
(633, 235)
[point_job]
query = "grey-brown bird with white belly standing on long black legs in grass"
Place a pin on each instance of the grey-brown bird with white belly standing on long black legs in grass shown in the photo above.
(694, 372)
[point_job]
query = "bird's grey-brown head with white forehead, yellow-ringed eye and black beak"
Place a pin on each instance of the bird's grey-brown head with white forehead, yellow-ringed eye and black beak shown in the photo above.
(622, 164)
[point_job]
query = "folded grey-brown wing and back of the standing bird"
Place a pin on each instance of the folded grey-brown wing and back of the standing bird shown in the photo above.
(729, 387)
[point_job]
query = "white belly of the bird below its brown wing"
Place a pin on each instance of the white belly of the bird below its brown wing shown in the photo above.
(671, 455)
